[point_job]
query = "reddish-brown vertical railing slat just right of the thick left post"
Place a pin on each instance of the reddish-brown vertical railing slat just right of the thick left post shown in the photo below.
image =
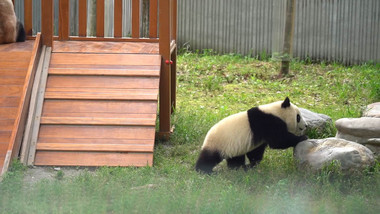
(63, 33)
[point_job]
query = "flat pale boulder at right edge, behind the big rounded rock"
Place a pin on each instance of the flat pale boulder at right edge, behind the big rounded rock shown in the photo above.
(364, 130)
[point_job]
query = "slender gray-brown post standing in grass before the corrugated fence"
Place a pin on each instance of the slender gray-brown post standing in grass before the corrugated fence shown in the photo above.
(288, 37)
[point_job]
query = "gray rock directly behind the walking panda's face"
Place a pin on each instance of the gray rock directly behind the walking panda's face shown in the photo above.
(315, 120)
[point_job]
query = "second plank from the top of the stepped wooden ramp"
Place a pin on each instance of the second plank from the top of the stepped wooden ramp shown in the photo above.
(105, 59)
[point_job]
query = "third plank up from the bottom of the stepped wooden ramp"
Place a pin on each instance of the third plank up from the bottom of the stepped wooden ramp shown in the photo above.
(97, 132)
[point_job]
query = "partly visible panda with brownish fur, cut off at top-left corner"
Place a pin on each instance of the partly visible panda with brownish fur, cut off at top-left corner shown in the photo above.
(11, 30)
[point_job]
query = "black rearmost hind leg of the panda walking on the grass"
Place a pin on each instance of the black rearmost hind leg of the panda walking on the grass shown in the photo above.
(207, 161)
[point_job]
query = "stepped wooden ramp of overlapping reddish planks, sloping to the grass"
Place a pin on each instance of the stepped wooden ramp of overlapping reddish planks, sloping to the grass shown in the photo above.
(100, 105)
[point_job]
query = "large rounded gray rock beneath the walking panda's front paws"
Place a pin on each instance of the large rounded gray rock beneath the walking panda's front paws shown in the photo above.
(316, 153)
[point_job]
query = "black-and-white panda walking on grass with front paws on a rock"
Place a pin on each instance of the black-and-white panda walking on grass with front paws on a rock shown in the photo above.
(279, 125)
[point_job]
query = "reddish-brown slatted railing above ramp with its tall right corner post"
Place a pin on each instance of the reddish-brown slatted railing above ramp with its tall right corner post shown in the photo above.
(163, 11)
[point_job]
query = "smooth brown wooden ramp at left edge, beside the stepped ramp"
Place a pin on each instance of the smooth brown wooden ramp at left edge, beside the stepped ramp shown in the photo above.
(16, 75)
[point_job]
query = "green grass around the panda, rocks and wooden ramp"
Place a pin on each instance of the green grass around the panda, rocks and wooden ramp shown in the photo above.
(211, 87)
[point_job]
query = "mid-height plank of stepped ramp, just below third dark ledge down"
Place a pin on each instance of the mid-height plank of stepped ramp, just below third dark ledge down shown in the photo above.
(92, 106)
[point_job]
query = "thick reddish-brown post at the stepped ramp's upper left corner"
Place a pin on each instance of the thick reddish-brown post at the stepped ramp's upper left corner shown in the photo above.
(47, 11)
